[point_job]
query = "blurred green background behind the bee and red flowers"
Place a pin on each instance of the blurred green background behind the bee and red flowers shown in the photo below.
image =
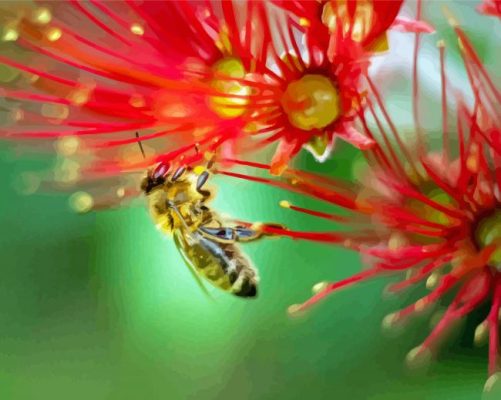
(100, 306)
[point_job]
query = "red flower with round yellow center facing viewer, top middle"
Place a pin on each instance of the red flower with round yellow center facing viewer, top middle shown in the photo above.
(313, 94)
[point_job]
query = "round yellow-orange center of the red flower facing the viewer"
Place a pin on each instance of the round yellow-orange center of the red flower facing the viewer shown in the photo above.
(311, 102)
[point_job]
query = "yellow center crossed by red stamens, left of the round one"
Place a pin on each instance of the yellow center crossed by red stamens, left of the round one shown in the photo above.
(234, 95)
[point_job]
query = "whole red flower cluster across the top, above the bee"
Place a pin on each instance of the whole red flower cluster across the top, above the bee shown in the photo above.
(190, 75)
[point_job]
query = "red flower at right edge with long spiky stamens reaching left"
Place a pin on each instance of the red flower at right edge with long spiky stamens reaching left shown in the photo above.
(433, 213)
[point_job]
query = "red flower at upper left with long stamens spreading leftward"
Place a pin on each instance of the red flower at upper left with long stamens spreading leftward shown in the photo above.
(99, 72)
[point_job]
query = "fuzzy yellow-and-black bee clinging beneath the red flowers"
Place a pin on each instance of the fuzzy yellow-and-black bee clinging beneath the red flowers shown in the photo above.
(178, 203)
